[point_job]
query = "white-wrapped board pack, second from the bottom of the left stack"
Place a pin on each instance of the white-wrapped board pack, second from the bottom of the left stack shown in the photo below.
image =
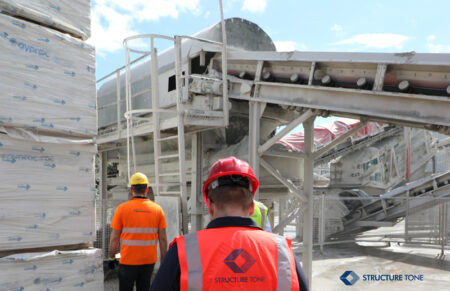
(47, 190)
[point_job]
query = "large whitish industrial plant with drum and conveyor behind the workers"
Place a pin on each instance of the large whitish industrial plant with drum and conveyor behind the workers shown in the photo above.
(171, 116)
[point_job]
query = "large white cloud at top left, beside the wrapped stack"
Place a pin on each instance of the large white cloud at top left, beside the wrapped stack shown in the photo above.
(114, 20)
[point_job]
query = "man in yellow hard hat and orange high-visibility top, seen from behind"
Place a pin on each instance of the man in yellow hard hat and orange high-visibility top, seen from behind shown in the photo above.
(139, 224)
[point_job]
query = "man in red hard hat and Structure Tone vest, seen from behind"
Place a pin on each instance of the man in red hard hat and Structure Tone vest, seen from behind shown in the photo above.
(232, 253)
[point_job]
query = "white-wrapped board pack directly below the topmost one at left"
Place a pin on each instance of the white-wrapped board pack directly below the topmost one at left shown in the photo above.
(47, 79)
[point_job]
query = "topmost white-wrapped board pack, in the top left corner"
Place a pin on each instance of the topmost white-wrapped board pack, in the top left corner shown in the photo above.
(65, 15)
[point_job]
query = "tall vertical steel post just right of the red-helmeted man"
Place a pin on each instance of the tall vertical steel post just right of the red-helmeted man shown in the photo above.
(308, 189)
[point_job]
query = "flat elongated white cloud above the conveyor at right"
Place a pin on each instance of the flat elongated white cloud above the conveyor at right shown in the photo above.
(377, 40)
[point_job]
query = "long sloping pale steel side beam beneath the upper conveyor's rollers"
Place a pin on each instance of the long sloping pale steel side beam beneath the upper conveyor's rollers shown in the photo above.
(398, 107)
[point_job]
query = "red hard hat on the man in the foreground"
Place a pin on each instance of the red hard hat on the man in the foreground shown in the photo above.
(228, 167)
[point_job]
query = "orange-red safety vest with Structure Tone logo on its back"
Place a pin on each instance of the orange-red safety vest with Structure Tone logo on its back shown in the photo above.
(236, 258)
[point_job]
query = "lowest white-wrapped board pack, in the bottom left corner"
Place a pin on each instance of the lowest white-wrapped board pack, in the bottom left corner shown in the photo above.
(57, 270)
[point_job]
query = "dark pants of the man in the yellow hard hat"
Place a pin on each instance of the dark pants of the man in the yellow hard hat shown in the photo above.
(141, 274)
